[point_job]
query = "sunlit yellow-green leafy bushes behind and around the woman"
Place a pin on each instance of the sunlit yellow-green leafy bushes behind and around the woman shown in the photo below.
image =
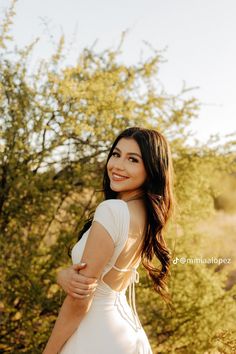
(56, 126)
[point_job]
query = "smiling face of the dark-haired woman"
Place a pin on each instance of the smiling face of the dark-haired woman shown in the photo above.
(125, 168)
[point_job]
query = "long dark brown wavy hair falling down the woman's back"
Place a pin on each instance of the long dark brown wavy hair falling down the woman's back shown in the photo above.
(158, 198)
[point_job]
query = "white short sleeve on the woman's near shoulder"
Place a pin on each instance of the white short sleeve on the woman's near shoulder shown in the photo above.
(109, 215)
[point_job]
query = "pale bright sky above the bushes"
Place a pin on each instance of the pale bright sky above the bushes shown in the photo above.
(197, 38)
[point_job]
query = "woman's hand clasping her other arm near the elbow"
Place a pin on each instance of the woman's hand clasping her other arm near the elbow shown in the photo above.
(74, 284)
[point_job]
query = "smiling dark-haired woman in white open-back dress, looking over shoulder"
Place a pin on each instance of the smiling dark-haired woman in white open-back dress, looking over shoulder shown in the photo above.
(126, 229)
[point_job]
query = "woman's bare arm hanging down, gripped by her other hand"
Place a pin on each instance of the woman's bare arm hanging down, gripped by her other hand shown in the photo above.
(97, 253)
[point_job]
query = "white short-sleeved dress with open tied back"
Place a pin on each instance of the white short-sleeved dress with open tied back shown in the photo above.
(111, 325)
